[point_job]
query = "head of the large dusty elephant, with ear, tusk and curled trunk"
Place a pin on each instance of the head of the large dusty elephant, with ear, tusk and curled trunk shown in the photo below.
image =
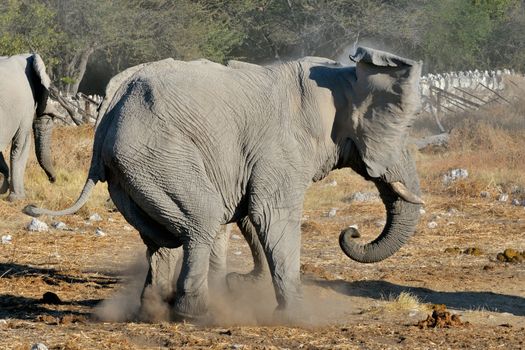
(381, 105)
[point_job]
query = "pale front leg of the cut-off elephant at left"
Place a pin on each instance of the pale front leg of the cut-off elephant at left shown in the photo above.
(19, 154)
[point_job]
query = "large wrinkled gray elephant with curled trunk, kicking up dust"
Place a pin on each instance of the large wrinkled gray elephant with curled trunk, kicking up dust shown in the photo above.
(188, 146)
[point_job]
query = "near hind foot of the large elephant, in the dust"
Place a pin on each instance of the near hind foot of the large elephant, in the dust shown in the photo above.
(192, 309)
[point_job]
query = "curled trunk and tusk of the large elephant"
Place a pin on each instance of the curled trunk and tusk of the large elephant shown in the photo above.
(402, 210)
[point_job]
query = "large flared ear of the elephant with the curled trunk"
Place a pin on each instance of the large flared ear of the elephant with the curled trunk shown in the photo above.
(385, 101)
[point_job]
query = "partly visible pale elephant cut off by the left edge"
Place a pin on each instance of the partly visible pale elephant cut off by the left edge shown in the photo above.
(24, 90)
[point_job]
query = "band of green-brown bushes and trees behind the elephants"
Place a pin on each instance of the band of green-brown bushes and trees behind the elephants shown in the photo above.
(106, 36)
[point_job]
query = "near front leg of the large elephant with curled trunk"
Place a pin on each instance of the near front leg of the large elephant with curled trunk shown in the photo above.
(279, 233)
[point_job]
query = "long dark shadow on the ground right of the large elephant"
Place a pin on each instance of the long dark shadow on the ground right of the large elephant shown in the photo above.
(461, 300)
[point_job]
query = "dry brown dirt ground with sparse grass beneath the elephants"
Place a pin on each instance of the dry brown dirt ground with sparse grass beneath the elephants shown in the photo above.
(347, 305)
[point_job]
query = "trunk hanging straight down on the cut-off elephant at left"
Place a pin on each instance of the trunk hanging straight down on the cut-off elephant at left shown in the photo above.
(43, 130)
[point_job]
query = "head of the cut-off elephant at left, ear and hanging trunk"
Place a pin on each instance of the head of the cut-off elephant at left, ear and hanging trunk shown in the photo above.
(43, 123)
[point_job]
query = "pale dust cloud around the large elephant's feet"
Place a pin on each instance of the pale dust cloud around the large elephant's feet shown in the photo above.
(247, 304)
